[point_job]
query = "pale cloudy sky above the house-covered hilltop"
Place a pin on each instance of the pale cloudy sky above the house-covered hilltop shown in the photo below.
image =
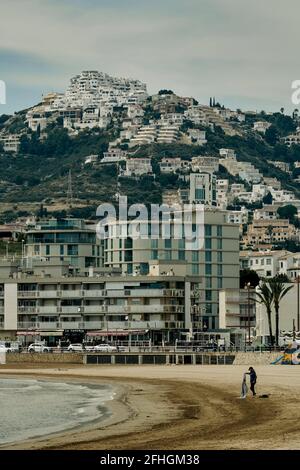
(245, 53)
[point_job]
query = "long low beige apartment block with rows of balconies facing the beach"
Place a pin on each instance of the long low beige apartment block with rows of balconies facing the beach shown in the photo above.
(53, 308)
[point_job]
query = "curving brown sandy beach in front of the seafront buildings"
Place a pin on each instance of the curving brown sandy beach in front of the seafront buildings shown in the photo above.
(180, 407)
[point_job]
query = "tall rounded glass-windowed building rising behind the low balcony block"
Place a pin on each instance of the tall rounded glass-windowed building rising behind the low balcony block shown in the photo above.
(215, 264)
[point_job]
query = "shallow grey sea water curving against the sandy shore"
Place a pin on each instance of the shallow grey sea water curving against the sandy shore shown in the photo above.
(32, 408)
